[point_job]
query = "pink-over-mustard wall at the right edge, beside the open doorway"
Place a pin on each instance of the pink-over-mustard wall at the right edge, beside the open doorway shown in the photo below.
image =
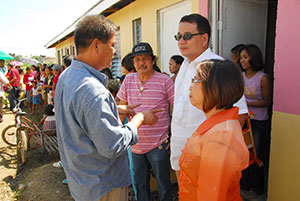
(284, 171)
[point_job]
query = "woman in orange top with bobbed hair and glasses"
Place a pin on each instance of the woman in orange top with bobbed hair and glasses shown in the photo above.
(213, 158)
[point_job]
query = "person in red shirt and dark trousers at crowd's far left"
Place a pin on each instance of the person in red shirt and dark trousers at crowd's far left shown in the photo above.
(14, 81)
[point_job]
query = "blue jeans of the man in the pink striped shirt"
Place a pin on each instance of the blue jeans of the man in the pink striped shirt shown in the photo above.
(157, 160)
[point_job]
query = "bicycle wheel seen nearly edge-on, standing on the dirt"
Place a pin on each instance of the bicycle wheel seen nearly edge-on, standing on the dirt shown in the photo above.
(22, 144)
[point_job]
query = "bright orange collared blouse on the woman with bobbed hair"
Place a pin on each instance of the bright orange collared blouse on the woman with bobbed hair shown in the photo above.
(212, 160)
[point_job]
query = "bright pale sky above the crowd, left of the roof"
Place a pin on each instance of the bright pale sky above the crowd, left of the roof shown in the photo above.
(27, 25)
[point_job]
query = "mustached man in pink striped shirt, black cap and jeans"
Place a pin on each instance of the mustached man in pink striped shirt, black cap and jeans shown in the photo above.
(153, 90)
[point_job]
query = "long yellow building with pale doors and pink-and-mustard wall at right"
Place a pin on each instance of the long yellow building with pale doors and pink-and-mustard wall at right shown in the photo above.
(271, 24)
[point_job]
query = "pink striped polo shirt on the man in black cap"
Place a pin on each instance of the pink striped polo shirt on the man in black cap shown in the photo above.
(155, 93)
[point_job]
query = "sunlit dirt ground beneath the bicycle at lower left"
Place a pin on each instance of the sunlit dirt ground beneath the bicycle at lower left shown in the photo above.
(37, 180)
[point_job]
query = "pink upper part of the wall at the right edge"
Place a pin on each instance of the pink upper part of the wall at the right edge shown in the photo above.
(287, 58)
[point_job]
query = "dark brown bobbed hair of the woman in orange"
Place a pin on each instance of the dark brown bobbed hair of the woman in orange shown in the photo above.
(222, 84)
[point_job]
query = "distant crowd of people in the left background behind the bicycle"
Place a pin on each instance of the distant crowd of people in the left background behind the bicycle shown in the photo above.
(36, 83)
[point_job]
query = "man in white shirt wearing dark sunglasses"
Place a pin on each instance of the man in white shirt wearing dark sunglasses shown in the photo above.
(193, 39)
